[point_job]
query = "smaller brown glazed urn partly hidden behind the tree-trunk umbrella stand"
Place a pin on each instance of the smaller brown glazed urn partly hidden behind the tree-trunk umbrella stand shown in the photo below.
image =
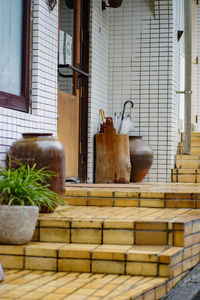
(141, 156)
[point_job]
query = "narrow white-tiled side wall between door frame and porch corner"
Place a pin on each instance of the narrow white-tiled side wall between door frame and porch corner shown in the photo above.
(98, 70)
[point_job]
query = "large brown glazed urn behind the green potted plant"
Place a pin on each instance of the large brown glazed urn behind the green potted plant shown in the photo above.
(45, 151)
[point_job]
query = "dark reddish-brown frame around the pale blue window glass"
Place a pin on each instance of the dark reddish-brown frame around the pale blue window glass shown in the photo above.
(11, 101)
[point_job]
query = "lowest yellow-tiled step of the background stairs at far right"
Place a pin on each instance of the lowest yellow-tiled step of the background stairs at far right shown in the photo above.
(186, 175)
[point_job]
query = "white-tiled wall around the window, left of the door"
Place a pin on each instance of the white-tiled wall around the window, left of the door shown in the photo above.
(44, 82)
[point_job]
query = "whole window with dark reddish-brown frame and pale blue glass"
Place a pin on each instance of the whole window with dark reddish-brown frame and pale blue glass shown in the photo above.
(14, 54)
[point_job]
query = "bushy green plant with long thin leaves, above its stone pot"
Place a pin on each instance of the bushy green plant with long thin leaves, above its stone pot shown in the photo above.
(27, 186)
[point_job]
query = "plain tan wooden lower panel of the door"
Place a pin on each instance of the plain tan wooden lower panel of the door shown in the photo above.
(68, 131)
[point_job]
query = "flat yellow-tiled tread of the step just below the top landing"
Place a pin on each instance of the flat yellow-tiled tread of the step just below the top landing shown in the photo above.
(119, 213)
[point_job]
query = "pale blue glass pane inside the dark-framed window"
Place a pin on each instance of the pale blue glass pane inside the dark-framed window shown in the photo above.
(11, 18)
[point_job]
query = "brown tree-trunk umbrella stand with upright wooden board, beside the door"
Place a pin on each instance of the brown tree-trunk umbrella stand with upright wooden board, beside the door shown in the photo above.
(112, 156)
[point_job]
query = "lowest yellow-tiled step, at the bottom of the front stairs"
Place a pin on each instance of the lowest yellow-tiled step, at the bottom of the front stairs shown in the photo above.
(63, 285)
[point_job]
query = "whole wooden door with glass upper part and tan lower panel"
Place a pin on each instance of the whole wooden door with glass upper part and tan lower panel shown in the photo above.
(68, 90)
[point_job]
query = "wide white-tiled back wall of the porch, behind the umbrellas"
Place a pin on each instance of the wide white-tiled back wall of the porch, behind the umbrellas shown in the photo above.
(143, 65)
